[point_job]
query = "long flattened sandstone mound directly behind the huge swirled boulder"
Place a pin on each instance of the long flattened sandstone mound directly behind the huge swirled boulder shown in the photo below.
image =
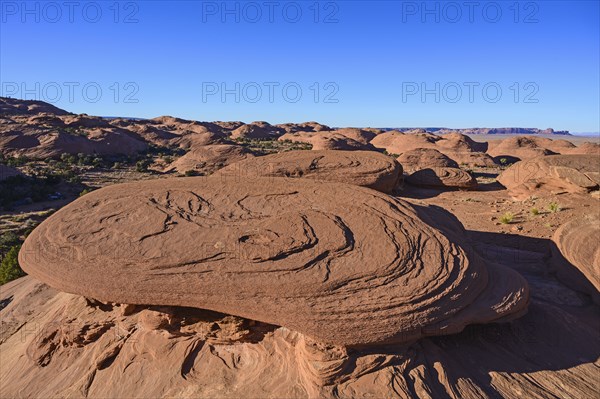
(362, 168)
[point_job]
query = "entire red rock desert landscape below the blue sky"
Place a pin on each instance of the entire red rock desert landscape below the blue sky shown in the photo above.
(185, 259)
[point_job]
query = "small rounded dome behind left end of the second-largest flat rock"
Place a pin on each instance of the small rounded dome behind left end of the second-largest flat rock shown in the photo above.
(208, 158)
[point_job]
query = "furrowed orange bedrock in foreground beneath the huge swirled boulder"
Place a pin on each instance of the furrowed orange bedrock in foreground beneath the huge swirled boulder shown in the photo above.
(71, 347)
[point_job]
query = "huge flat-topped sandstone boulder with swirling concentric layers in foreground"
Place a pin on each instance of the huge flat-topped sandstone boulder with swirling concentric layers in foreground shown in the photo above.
(342, 264)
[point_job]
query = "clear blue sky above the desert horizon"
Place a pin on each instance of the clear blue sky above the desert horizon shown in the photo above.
(370, 61)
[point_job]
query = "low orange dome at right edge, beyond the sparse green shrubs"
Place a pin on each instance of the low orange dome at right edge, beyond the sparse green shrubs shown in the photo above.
(552, 174)
